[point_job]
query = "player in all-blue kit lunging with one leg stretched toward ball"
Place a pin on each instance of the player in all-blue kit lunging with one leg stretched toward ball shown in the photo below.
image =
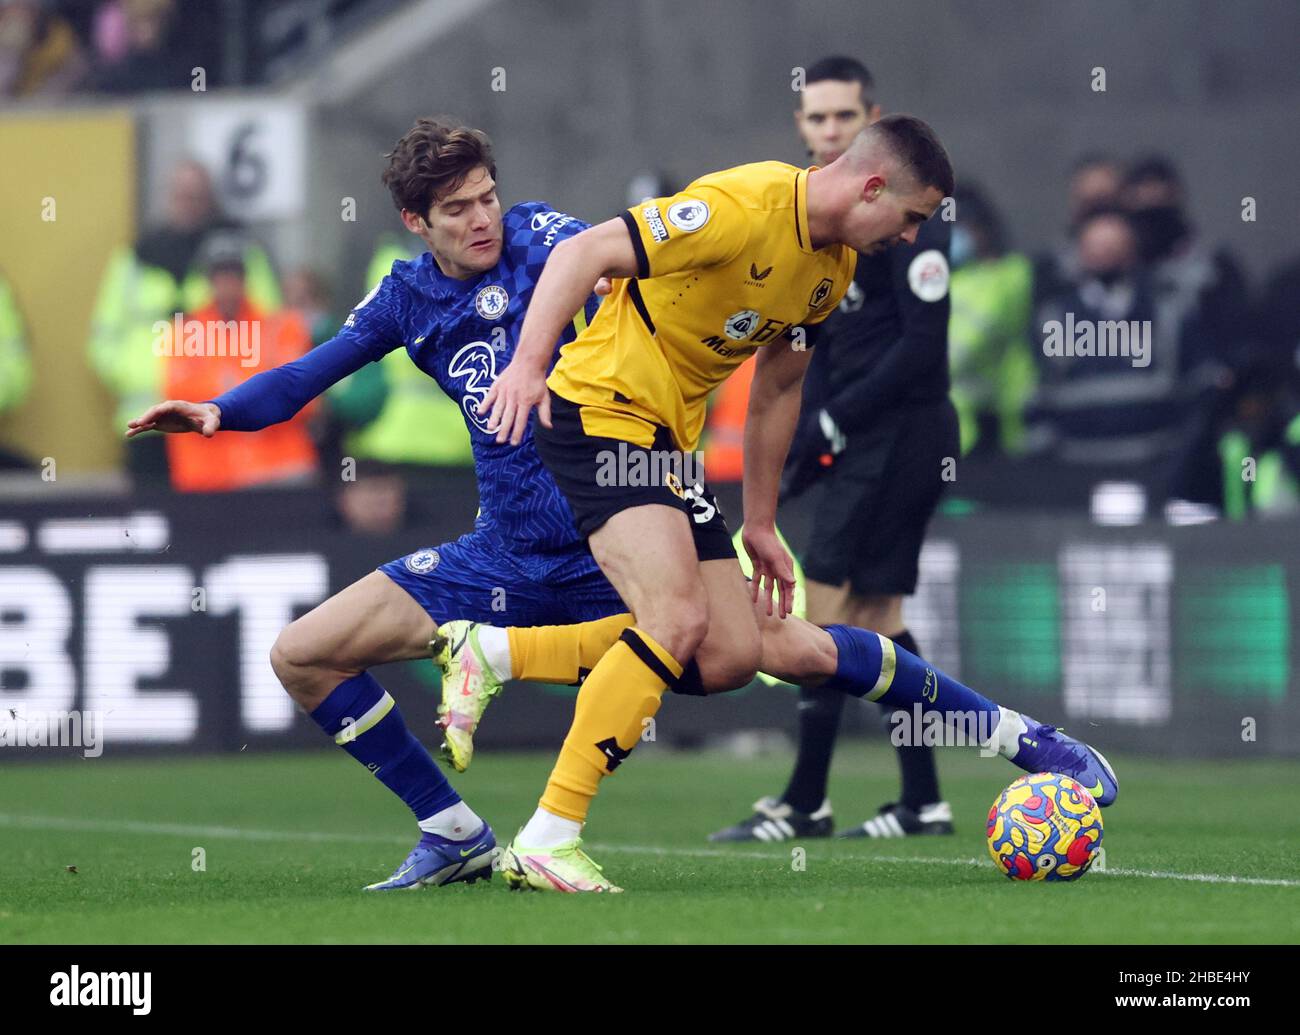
(458, 310)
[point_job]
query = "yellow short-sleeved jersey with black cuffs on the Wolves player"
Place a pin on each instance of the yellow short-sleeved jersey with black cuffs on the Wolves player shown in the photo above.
(723, 269)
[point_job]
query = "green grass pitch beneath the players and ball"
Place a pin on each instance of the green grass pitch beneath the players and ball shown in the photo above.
(291, 839)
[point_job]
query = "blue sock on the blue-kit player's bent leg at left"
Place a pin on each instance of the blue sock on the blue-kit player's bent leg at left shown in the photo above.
(367, 724)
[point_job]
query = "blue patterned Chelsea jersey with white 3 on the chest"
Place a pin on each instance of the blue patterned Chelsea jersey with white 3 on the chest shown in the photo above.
(463, 335)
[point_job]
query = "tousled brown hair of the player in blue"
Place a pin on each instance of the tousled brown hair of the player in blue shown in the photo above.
(434, 161)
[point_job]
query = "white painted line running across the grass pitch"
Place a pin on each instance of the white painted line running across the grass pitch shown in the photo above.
(245, 834)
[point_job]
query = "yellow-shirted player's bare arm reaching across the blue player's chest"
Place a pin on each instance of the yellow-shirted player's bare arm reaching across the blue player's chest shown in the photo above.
(562, 291)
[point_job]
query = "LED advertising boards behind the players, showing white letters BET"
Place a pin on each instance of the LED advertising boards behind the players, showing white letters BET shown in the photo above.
(157, 616)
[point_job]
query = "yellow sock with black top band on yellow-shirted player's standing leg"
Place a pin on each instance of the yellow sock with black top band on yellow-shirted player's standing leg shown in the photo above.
(623, 691)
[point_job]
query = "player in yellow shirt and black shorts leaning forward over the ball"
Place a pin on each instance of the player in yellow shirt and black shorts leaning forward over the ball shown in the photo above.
(740, 262)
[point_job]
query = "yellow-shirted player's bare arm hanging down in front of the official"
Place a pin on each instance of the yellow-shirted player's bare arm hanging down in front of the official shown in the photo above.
(774, 410)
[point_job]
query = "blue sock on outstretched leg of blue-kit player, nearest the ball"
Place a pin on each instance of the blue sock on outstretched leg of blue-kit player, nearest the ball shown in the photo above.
(876, 668)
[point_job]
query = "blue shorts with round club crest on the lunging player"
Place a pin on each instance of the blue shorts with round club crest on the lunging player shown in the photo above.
(480, 579)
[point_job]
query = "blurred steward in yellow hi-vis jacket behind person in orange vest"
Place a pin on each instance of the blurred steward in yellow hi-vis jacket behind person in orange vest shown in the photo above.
(150, 283)
